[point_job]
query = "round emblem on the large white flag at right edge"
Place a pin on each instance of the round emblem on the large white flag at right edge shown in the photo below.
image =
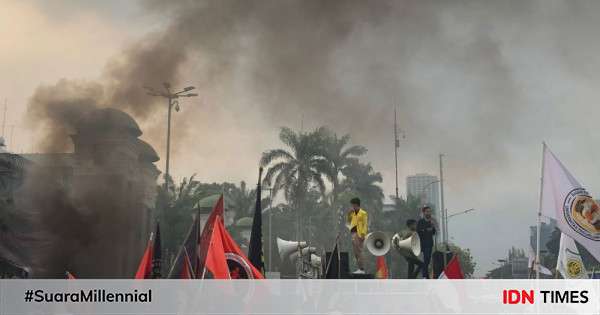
(582, 213)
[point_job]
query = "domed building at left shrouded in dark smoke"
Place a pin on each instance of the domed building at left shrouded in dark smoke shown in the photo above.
(110, 179)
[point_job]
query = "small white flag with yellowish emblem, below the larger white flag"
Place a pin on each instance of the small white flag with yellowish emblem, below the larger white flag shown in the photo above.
(569, 262)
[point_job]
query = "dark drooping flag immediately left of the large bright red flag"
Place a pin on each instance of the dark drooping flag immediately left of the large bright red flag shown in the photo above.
(187, 259)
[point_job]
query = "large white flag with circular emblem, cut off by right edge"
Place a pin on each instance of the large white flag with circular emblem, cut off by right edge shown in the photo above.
(566, 201)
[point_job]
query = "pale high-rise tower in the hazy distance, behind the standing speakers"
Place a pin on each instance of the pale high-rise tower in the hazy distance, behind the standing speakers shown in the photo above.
(425, 187)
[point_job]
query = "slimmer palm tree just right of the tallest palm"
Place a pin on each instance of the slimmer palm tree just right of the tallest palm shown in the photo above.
(340, 157)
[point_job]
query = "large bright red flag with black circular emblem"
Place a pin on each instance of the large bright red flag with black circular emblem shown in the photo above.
(223, 257)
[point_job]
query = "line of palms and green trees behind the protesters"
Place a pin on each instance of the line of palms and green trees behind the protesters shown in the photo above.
(312, 177)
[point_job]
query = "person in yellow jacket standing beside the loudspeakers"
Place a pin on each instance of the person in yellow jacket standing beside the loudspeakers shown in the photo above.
(358, 219)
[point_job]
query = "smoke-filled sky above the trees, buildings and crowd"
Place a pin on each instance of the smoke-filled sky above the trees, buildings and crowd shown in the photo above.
(484, 83)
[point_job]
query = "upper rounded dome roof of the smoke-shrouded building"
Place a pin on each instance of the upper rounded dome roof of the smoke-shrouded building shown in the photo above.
(109, 118)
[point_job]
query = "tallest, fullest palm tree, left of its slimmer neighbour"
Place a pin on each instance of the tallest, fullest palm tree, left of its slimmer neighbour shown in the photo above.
(296, 170)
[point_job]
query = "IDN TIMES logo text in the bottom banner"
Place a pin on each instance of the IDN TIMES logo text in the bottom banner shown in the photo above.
(514, 296)
